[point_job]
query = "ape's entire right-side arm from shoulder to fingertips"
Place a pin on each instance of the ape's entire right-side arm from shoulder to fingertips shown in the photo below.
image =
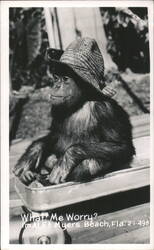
(115, 146)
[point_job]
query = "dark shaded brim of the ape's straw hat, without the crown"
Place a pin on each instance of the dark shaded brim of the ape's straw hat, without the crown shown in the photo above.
(59, 67)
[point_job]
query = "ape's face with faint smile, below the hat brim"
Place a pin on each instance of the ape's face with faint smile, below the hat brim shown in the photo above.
(64, 91)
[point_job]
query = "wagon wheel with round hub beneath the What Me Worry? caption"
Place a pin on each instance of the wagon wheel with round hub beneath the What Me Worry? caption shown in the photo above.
(42, 232)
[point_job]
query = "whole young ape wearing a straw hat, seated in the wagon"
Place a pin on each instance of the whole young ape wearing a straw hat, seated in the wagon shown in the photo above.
(90, 133)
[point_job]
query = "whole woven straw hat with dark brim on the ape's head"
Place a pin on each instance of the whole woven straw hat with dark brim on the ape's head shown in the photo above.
(84, 57)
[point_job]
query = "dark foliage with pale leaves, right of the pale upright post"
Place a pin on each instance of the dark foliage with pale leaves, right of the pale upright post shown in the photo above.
(128, 40)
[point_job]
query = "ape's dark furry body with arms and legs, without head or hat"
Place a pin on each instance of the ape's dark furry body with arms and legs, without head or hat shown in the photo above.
(85, 141)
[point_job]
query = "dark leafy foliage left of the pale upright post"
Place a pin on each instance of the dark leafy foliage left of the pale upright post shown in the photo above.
(28, 43)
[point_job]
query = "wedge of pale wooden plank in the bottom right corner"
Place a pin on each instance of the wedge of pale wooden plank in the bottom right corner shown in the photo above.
(139, 236)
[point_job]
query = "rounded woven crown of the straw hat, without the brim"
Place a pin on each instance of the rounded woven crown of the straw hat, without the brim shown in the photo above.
(84, 55)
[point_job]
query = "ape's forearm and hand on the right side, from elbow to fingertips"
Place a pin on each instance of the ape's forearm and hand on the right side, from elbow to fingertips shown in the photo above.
(110, 153)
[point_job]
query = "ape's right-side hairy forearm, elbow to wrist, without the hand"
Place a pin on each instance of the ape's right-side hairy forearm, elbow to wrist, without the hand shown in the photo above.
(107, 151)
